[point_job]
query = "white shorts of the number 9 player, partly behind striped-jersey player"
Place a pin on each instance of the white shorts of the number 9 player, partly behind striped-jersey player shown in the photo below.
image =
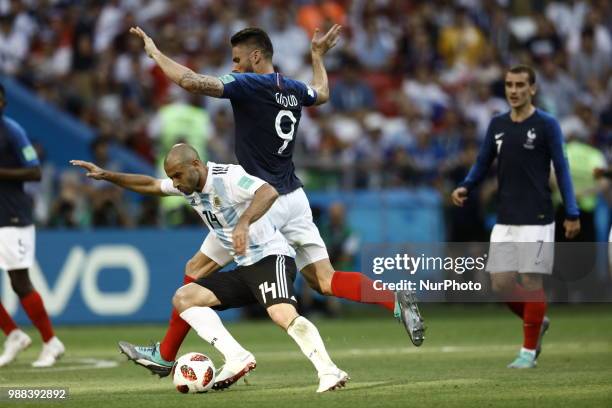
(291, 214)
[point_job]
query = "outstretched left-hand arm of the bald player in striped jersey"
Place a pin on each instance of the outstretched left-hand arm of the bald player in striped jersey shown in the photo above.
(139, 183)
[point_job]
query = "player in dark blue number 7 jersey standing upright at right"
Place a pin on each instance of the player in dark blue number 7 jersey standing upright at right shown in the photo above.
(525, 141)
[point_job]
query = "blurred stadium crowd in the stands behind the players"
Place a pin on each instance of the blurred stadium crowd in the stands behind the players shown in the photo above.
(413, 85)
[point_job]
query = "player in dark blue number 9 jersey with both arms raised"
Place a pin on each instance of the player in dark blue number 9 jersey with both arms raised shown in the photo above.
(267, 108)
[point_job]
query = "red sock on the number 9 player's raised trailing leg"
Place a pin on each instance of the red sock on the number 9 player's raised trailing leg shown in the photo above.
(359, 288)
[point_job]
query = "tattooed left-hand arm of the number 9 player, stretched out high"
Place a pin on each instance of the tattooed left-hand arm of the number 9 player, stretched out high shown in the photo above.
(179, 74)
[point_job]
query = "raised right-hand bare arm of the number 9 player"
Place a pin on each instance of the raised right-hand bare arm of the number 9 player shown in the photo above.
(318, 48)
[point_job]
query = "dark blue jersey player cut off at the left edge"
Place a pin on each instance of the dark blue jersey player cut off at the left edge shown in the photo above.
(18, 164)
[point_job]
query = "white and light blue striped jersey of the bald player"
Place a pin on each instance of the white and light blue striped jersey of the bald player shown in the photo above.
(227, 193)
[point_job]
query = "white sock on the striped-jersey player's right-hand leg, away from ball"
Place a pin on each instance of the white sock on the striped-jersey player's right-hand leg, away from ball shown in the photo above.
(308, 338)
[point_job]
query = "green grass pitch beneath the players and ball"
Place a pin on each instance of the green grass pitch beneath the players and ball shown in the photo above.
(461, 364)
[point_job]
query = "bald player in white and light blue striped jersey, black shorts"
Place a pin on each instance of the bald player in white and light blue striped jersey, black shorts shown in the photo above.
(234, 205)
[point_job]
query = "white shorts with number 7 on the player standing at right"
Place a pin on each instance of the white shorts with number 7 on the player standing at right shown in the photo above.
(522, 248)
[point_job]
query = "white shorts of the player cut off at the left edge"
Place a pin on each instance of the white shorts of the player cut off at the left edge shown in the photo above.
(17, 245)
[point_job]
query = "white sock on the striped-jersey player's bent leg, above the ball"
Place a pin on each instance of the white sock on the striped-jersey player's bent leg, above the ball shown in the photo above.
(208, 325)
